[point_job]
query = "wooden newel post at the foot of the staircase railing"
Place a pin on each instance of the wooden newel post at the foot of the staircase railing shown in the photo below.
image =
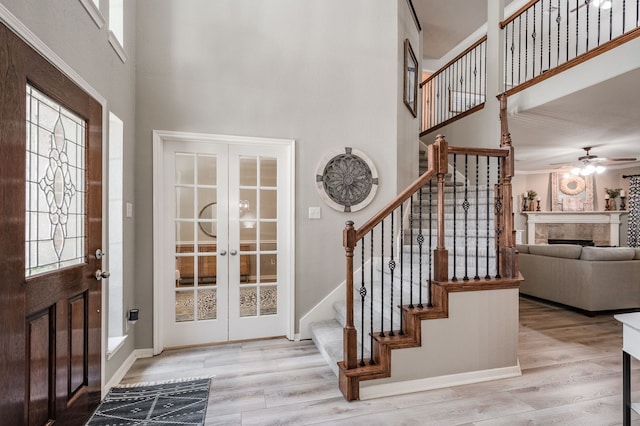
(350, 337)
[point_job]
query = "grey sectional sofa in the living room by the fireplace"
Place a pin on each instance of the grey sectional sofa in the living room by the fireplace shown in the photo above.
(590, 279)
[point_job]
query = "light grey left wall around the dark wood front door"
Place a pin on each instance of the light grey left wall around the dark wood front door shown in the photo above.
(67, 29)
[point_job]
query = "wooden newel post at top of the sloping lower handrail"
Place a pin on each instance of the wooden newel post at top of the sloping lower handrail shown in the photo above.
(441, 255)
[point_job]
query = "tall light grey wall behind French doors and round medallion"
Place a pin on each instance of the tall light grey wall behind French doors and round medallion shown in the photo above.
(321, 72)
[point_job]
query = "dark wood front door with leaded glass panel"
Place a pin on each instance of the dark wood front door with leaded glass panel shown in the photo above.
(50, 229)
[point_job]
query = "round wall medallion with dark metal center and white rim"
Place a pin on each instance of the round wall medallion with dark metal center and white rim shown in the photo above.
(347, 181)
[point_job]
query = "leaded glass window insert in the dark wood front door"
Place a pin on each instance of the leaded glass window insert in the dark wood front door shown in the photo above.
(55, 185)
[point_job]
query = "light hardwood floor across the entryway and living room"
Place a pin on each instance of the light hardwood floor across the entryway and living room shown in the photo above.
(571, 375)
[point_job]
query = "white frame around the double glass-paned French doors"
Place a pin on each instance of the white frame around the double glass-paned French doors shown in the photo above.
(159, 138)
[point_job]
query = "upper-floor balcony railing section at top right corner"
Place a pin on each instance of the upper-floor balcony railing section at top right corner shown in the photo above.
(546, 37)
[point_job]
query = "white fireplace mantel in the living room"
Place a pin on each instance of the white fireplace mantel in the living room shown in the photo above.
(609, 217)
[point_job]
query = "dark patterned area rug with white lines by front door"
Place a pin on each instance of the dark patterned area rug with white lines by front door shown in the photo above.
(172, 403)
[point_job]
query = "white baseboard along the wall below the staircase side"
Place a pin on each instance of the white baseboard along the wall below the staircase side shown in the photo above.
(419, 385)
